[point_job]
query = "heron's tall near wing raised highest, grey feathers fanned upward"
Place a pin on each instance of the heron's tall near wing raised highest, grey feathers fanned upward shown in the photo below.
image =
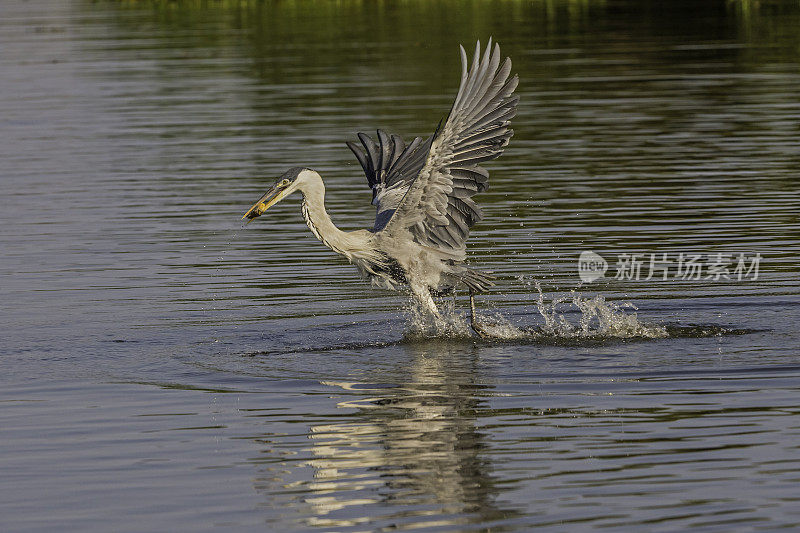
(438, 208)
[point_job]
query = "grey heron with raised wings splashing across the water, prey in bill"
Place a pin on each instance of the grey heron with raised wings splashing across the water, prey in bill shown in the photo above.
(422, 191)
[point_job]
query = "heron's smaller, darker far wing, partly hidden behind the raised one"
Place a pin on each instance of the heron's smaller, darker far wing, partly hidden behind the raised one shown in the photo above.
(391, 167)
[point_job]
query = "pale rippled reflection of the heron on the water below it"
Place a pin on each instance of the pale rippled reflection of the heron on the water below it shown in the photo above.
(408, 450)
